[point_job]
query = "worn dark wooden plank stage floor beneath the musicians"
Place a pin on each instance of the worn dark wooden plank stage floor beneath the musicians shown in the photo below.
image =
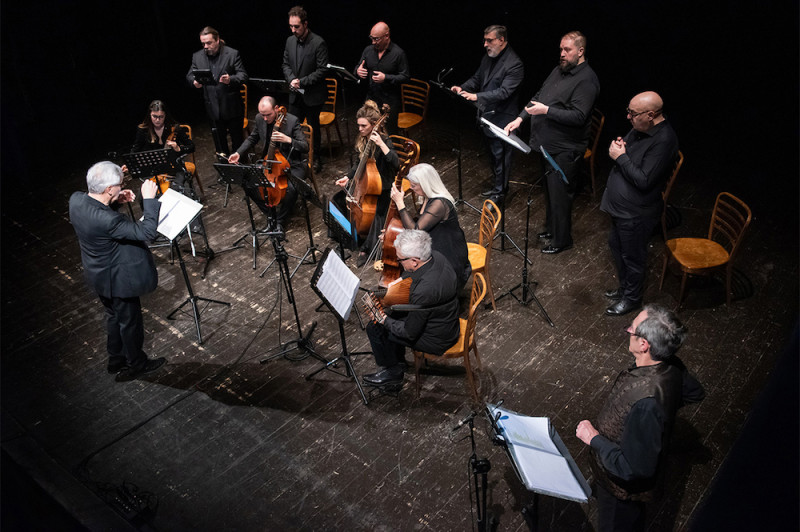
(217, 440)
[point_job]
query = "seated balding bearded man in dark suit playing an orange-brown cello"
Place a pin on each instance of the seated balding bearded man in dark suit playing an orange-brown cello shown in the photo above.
(292, 144)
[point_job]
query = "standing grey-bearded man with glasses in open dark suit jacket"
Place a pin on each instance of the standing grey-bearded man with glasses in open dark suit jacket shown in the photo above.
(493, 88)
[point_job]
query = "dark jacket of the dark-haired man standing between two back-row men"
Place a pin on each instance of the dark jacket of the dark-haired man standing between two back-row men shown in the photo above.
(309, 66)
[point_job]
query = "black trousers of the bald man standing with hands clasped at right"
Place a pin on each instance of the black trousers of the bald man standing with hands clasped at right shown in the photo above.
(628, 243)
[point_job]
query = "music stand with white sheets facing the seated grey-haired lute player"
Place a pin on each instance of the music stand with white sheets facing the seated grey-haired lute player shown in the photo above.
(337, 287)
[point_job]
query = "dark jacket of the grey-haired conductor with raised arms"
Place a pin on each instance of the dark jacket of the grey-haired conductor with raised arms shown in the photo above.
(116, 260)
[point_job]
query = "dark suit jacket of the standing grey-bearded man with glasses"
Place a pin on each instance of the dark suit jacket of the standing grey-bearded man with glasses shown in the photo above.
(496, 85)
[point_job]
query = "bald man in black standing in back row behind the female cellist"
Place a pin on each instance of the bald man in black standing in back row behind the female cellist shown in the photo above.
(385, 65)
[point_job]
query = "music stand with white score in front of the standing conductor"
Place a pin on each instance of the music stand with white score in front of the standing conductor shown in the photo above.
(176, 214)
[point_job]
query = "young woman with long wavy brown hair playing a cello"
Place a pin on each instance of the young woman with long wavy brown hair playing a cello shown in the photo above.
(386, 161)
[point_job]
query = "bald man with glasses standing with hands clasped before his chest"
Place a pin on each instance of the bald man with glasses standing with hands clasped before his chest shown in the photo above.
(643, 160)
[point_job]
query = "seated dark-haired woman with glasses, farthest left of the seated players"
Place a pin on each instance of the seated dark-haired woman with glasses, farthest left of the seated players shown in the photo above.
(159, 131)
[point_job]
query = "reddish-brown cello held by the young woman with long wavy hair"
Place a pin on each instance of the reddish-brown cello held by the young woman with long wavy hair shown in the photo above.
(366, 186)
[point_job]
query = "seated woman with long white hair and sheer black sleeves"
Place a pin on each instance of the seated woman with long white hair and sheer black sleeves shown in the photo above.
(437, 216)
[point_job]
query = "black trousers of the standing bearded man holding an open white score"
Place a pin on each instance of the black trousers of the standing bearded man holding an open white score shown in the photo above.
(559, 196)
